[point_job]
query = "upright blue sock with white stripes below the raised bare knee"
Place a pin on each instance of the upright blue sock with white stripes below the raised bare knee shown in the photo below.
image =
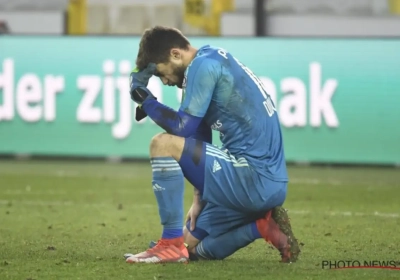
(168, 187)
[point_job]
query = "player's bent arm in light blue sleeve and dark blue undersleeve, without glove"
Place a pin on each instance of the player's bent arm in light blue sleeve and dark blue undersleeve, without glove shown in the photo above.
(201, 80)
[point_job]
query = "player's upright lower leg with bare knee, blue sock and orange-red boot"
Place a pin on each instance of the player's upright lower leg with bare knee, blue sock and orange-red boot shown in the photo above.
(168, 187)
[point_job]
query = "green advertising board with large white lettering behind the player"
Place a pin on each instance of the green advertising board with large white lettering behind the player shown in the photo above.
(338, 100)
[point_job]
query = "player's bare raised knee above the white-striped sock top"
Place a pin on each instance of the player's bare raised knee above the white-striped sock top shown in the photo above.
(166, 145)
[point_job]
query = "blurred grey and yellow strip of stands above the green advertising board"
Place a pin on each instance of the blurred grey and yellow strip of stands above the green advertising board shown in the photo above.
(204, 17)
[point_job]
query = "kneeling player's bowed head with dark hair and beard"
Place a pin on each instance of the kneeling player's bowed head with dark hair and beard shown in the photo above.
(169, 49)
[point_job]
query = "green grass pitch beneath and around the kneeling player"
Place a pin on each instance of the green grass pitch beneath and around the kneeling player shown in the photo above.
(76, 220)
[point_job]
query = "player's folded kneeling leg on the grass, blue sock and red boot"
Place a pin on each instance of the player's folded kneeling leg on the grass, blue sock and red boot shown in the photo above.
(220, 232)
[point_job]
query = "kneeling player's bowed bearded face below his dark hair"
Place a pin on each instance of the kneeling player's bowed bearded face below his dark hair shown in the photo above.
(172, 72)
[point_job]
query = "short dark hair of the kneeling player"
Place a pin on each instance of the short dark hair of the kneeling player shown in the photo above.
(156, 44)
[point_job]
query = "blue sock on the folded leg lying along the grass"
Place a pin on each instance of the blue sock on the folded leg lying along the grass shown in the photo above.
(226, 244)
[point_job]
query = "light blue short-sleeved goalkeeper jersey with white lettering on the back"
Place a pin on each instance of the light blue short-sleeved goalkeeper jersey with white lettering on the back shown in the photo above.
(233, 101)
